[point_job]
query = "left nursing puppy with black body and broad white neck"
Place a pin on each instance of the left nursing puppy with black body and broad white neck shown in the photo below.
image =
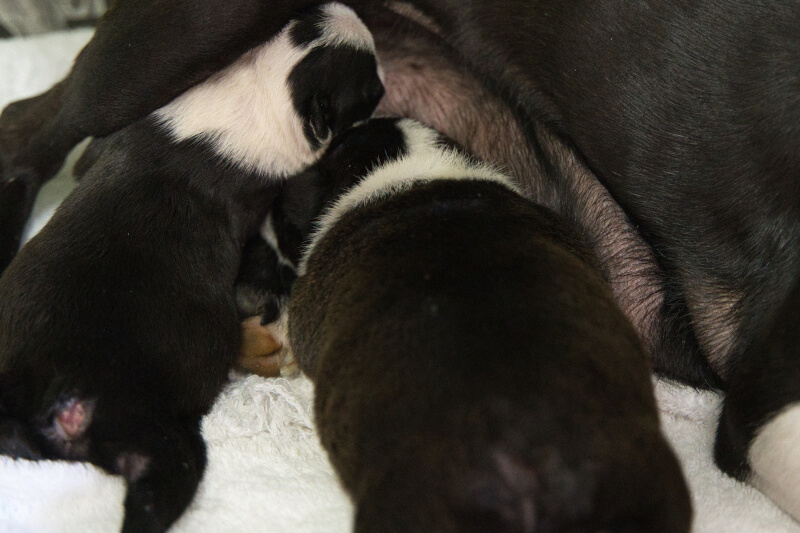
(118, 322)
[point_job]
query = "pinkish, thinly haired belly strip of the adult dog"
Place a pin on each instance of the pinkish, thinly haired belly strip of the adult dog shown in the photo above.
(425, 81)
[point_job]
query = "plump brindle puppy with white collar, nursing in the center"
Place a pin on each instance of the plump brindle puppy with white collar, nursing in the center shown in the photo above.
(472, 370)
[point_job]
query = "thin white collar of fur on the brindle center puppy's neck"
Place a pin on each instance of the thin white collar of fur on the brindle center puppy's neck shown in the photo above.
(425, 160)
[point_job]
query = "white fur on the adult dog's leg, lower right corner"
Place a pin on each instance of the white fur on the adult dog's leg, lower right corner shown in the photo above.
(775, 460)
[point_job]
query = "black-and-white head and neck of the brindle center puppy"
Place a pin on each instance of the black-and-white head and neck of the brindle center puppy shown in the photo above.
(362, 162)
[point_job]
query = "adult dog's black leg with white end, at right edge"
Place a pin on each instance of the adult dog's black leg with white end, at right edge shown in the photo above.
(758, 438)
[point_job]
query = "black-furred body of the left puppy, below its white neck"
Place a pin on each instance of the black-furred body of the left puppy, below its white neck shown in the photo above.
(124, 300)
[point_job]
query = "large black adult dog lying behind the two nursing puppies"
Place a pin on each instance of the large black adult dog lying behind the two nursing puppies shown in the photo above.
(687, 112)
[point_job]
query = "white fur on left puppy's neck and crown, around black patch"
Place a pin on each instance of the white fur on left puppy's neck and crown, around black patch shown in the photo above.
(246, 112)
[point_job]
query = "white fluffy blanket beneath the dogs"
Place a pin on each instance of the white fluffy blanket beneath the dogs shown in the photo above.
(267, 472)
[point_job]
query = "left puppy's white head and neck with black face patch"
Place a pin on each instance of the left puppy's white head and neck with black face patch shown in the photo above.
(276, 108)
